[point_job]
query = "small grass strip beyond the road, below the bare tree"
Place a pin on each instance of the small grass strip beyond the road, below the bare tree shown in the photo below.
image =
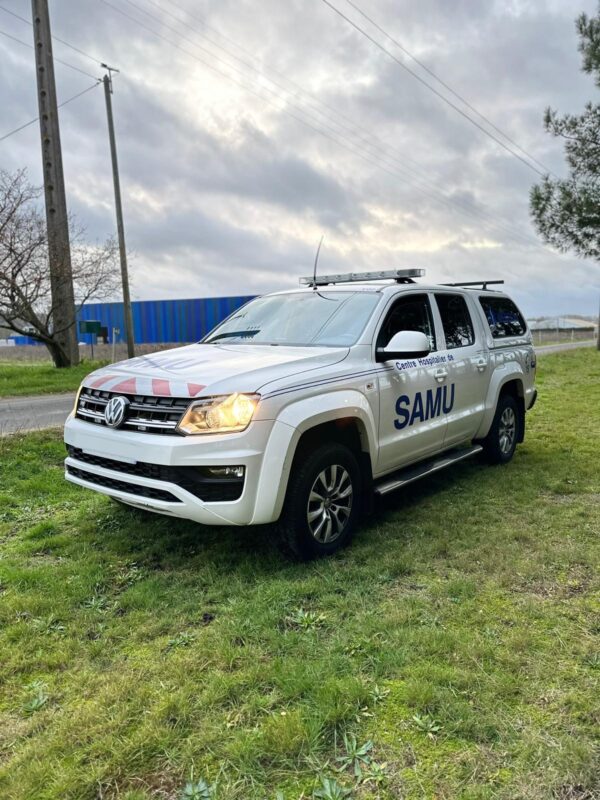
(23, 378)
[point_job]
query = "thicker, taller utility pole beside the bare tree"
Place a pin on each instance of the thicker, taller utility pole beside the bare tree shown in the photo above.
(59, 252)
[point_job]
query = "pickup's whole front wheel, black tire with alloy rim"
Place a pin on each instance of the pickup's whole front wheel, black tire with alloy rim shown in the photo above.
(311, 523)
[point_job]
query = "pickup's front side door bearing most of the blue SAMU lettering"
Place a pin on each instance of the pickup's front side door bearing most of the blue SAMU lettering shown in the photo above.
(411, 396)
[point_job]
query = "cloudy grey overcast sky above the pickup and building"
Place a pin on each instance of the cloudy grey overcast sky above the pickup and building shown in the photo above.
(248, 129)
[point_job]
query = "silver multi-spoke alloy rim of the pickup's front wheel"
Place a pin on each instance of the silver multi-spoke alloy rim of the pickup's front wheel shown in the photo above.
(329, 504)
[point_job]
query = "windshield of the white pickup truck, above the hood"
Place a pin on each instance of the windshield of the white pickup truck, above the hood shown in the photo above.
(331, 319)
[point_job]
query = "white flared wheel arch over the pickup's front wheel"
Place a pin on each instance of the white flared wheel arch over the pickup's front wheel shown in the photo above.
(294, 420)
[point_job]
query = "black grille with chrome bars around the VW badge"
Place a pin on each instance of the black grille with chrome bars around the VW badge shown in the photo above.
(144, 413)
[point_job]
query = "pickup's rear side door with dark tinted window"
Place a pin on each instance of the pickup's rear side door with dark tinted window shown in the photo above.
(468, 366)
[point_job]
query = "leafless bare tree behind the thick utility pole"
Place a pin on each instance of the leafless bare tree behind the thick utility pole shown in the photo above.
(25, 296)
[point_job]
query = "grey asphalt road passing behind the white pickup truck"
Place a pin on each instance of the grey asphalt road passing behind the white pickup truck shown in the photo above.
(20, 414)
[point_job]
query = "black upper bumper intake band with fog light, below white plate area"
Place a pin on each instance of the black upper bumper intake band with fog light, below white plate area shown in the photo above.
(192, 479)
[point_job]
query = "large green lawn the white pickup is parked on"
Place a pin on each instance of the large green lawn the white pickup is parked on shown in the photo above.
(452, 652)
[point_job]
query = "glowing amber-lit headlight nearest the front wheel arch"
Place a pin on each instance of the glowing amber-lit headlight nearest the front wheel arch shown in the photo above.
(225, 414)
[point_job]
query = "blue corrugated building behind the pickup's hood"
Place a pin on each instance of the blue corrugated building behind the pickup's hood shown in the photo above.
(159, 321)
